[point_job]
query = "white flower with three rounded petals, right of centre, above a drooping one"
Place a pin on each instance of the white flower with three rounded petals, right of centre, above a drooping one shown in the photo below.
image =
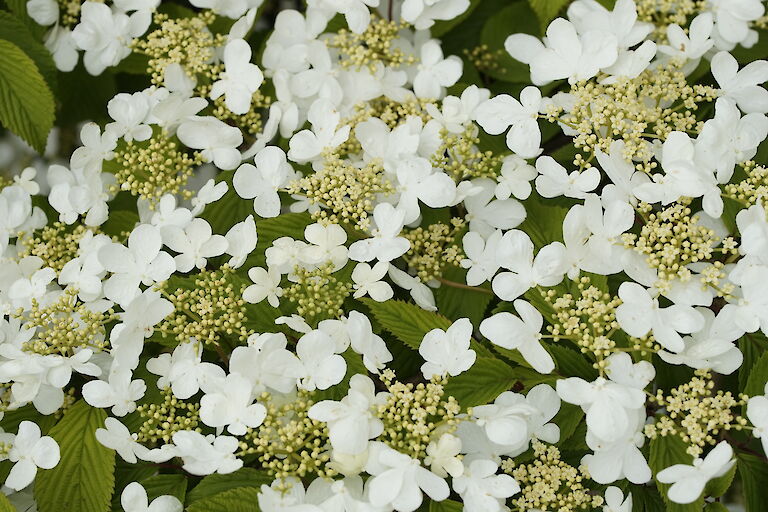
(515, 253)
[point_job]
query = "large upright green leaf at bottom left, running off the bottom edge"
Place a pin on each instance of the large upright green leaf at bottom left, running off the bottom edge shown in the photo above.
(85, 477)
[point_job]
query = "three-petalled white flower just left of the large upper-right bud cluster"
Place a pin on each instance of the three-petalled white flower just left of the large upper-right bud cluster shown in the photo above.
(503, 111)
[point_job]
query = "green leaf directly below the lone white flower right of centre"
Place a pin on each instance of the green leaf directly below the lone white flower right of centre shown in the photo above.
(482, 383)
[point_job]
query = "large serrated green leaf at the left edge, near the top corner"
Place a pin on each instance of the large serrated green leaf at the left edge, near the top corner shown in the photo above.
(26, 101)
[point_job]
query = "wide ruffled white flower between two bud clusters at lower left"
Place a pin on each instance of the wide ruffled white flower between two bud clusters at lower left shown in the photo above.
(204, 455)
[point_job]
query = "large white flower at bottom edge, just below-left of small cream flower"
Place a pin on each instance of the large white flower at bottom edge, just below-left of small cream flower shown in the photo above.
(398, 480)
